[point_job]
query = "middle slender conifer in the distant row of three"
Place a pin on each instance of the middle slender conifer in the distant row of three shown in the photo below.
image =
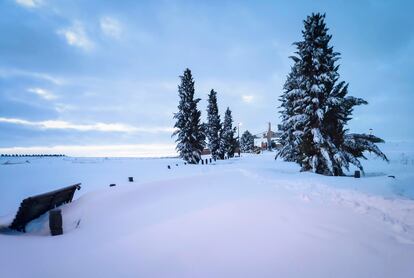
(213, 127)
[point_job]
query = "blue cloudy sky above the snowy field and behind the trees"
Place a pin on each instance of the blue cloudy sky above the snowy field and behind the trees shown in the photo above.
(99, 78)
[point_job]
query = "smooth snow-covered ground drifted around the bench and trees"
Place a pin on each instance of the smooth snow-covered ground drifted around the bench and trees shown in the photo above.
(245, 217)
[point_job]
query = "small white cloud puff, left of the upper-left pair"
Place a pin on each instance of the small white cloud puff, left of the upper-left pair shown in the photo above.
(75, 35)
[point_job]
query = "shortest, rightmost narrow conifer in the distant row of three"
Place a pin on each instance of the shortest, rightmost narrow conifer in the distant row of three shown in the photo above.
(228, 143)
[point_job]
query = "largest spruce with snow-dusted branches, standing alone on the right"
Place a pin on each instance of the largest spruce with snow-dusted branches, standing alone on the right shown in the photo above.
(316, 108)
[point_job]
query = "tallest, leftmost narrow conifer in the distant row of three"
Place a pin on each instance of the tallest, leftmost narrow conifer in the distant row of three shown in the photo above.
(190, 136)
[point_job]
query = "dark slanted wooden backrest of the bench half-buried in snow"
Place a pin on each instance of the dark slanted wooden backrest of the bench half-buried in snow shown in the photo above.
(33, 207)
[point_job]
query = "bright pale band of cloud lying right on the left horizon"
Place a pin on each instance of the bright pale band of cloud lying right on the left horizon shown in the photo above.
(133, 150)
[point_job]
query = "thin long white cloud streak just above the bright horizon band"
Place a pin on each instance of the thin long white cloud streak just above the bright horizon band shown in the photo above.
(103, 127)
